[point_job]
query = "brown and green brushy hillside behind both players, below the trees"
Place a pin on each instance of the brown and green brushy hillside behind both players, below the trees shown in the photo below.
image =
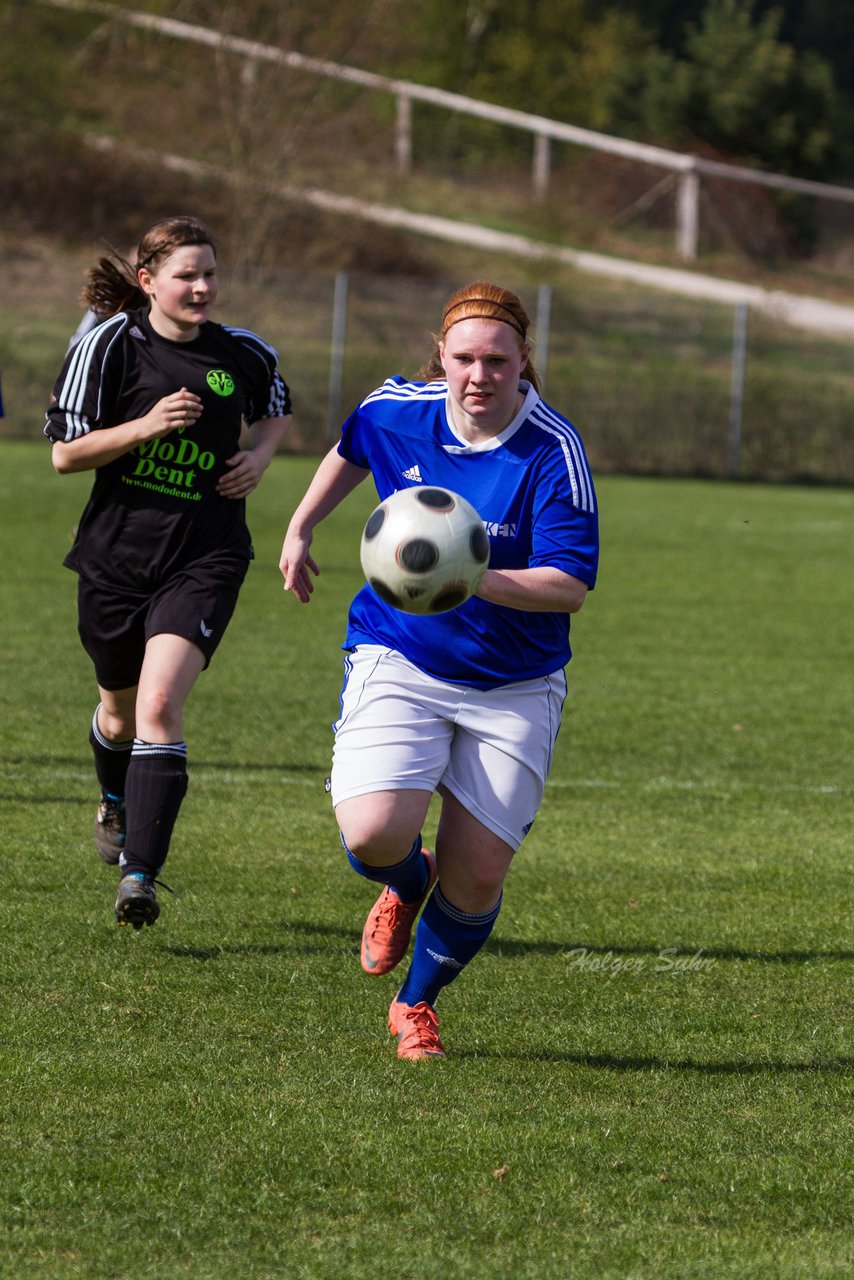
(647, 377)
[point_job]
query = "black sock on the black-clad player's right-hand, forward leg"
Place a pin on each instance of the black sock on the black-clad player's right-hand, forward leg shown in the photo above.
(156, 787)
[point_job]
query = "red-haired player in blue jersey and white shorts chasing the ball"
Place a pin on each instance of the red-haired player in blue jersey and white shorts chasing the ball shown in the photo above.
(465, 703)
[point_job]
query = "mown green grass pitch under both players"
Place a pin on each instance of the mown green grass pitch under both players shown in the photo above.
(649, 1068)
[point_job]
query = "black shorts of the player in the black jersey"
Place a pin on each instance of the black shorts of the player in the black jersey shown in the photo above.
(197, 605)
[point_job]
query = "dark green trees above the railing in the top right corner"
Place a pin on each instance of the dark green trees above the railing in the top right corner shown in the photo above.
(756, 84)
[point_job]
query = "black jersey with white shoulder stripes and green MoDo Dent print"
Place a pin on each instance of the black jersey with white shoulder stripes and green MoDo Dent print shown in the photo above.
(157, 509)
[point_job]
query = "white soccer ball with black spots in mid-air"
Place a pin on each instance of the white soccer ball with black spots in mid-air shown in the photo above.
(424, 550)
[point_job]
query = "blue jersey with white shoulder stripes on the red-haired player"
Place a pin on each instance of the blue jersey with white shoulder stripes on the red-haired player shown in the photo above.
(533, 490)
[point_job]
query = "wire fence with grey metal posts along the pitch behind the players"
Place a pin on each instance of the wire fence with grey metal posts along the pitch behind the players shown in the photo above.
(656, 385)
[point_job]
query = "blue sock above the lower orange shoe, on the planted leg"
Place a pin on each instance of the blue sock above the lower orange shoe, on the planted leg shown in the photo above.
(446, 940)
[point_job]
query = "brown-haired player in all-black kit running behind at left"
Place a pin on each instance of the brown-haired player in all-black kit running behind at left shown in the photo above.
(154, 400)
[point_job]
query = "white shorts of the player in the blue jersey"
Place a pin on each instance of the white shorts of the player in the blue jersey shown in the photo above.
(401, 729)
